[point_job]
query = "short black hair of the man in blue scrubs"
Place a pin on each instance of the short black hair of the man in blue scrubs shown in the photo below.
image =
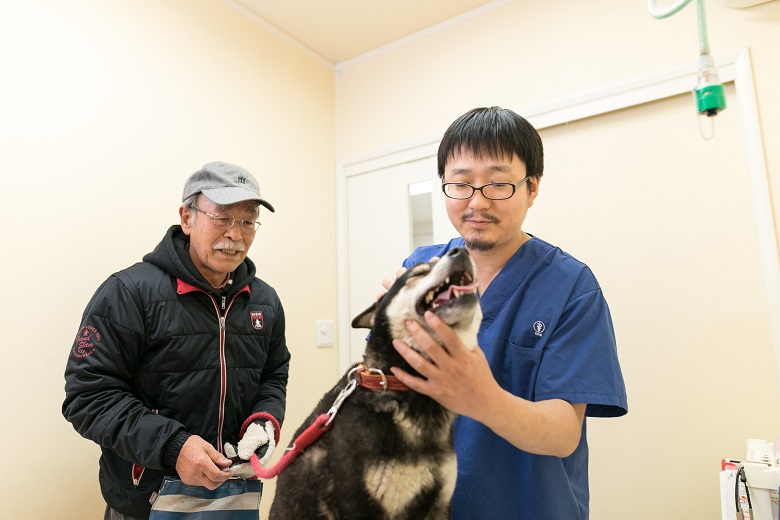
(493, 132)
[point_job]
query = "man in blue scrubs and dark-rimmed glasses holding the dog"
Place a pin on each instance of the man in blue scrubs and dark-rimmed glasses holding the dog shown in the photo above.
(547, 356)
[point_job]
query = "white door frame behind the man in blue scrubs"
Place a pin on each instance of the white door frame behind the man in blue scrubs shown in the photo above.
(734, 66)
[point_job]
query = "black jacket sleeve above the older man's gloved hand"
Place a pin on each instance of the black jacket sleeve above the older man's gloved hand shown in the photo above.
(271, 395)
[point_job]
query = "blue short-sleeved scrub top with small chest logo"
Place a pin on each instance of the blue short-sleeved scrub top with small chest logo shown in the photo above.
(547, 334)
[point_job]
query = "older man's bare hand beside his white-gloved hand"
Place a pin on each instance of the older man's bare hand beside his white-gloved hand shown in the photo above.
(199, 464)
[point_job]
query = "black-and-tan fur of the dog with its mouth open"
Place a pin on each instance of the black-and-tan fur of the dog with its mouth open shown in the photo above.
(388, 454)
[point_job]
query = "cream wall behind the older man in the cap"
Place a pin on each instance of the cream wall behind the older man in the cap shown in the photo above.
(106, 106)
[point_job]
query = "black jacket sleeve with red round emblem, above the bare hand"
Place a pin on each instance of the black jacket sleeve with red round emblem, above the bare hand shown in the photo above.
(99, 399)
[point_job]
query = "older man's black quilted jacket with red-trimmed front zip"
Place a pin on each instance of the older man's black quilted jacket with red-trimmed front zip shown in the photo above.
(161, 355)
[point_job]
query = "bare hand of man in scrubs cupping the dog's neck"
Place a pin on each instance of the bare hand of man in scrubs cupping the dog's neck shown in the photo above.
(456, 377)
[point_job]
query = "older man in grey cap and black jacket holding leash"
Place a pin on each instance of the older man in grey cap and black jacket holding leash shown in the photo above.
(177, 353)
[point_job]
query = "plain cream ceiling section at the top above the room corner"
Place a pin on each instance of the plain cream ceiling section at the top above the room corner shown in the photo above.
(339, 30)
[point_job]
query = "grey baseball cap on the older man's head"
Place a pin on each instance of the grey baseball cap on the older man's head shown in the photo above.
(224, 184)
